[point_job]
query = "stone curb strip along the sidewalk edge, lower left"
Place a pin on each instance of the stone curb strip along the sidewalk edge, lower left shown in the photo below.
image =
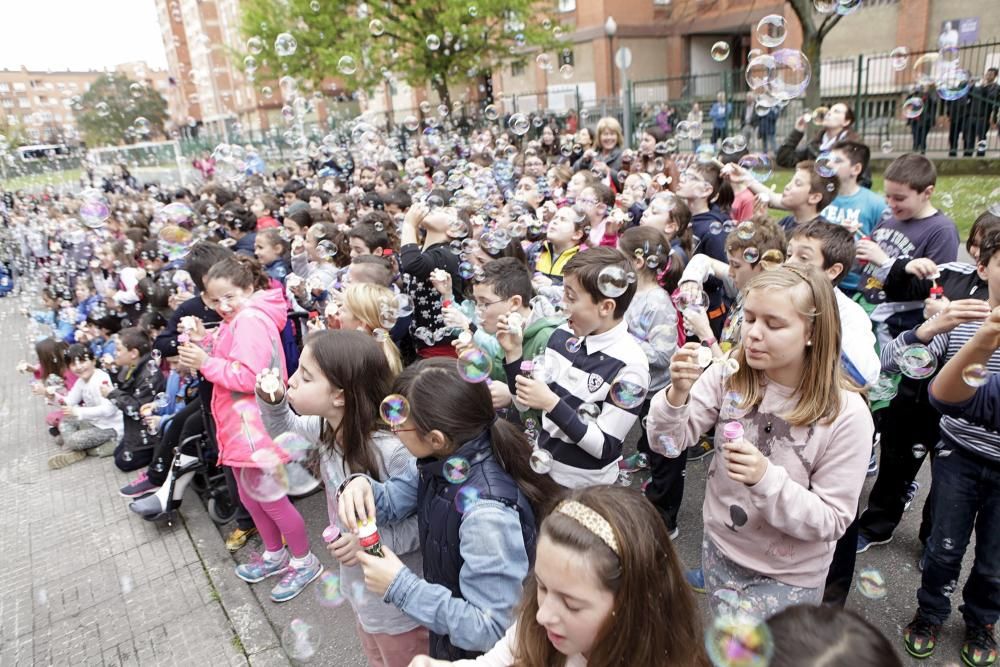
(246, 616)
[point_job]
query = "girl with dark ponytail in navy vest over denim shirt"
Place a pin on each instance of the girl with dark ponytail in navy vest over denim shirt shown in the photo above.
(475, 497)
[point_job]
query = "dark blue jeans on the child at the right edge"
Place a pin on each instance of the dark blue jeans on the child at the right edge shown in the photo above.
(966, 495)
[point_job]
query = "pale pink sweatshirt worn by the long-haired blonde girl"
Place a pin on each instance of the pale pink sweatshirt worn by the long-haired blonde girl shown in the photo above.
(786, 525)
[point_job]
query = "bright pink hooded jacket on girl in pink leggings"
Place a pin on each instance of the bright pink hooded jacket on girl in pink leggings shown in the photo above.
(240, 349)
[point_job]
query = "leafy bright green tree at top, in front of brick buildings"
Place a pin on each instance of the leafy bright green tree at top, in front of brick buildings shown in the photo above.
(439, 43)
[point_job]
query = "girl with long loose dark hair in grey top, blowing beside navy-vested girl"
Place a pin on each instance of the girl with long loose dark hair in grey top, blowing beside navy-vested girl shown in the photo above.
(341, 379)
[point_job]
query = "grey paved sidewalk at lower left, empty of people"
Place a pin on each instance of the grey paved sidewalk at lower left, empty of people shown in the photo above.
(87, 581)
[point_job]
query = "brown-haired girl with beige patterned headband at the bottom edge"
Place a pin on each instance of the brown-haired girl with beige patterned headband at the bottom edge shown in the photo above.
(591, 595)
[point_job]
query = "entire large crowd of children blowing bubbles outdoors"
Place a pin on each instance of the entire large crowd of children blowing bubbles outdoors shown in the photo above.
(460, 342)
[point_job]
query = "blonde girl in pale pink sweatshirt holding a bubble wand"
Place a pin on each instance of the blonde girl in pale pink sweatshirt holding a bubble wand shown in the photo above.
(781, 494)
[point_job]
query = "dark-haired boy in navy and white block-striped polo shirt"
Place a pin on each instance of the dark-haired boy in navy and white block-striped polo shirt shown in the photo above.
(598, 375)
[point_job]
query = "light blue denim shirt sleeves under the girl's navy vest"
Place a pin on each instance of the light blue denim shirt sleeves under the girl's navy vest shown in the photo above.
(495, 566)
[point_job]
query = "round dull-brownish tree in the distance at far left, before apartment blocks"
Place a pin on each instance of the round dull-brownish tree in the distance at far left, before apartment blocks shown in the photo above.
(111, 112)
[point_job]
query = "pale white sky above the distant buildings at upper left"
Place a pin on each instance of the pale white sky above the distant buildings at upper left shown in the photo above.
(79, 34)
